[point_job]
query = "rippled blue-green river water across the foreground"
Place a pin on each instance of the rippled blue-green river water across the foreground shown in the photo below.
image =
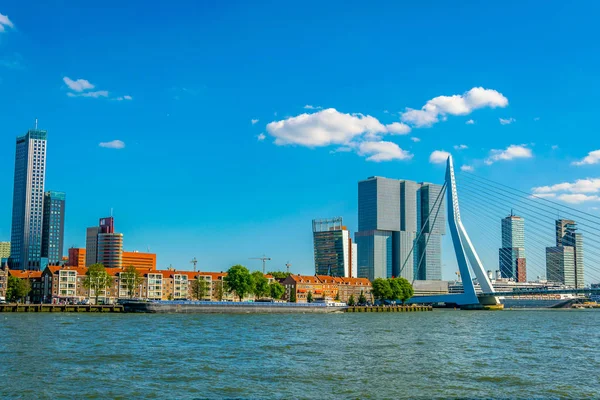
(439, 354)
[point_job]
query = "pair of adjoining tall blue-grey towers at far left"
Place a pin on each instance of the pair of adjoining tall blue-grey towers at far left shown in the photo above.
(37, 228)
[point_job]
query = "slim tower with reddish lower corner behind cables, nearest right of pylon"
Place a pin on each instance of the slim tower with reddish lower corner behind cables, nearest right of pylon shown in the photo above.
(511, 258)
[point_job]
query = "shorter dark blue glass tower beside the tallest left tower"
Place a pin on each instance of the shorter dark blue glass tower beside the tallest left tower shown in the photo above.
(53, 227)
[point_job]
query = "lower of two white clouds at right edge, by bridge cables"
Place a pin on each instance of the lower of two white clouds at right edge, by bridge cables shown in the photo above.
(580, 191)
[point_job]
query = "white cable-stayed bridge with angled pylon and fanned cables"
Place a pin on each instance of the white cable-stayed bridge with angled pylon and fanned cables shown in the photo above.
(487, 203)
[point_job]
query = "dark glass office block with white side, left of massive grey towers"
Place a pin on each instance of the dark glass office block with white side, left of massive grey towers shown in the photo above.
(332, 247)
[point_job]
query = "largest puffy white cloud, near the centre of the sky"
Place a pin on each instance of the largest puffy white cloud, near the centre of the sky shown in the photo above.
(323, 128)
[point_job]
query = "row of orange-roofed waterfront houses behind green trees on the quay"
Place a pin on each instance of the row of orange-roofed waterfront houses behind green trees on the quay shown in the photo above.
(56, 284)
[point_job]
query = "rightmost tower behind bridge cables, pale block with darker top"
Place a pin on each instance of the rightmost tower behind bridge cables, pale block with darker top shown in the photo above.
(564, 262)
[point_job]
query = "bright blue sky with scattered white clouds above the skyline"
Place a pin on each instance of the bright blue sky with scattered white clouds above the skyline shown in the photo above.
(190, 175)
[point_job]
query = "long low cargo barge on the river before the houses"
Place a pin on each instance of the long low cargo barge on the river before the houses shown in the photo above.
(228, 307)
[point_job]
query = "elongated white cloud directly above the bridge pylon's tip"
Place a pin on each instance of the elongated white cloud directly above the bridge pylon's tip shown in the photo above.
(464, 104)
